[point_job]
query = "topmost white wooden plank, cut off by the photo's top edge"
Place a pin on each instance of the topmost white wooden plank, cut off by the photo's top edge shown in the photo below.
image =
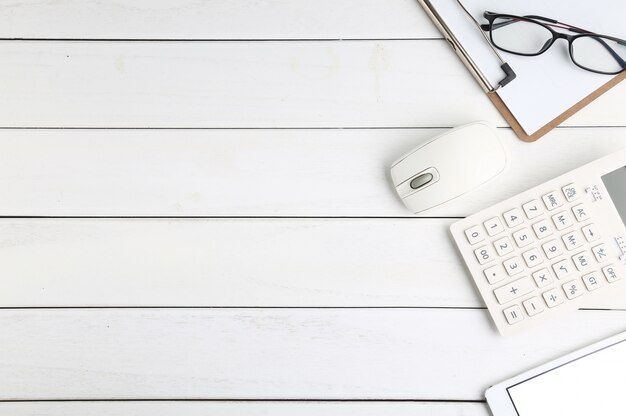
(234, 19)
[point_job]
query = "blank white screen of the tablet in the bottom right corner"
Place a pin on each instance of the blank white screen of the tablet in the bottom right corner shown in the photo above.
(594, 384)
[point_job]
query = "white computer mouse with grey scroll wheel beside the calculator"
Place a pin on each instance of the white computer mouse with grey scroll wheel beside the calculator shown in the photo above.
(448, 166)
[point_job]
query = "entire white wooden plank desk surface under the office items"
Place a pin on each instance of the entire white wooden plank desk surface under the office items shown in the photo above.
(197, 217)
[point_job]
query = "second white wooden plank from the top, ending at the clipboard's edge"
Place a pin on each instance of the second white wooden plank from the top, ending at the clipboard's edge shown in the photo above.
(237, 84)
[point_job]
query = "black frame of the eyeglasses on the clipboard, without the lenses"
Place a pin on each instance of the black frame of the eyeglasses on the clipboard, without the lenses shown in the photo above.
(539, 20)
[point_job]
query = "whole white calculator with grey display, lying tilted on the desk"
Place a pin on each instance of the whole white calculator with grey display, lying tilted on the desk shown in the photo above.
(552, 248)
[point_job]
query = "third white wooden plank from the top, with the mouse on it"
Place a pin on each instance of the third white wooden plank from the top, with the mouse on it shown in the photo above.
(301, 173)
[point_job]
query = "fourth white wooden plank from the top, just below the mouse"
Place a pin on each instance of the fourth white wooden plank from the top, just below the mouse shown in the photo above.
(275, 263)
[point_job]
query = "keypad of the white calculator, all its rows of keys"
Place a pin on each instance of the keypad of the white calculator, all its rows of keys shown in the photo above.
(541, 254)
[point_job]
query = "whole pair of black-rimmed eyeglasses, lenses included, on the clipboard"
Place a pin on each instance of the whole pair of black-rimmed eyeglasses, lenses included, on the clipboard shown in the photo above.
(533, 35)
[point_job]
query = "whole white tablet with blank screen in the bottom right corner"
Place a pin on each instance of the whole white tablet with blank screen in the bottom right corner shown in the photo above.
(590, 381)
